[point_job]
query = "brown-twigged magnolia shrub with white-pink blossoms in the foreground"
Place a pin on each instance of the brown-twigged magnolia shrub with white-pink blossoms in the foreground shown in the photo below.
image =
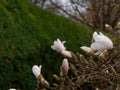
(98, 70)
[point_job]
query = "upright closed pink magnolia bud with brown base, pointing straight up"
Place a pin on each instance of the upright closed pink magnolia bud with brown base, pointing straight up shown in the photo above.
(64, 67)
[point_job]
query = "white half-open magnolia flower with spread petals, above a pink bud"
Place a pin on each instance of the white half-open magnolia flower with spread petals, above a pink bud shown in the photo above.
(58, 45)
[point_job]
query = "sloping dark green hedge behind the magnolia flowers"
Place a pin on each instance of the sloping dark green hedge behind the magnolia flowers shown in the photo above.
(26, 35)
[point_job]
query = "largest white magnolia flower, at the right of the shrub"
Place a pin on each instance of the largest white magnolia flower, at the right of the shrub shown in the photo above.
(101, 42)
